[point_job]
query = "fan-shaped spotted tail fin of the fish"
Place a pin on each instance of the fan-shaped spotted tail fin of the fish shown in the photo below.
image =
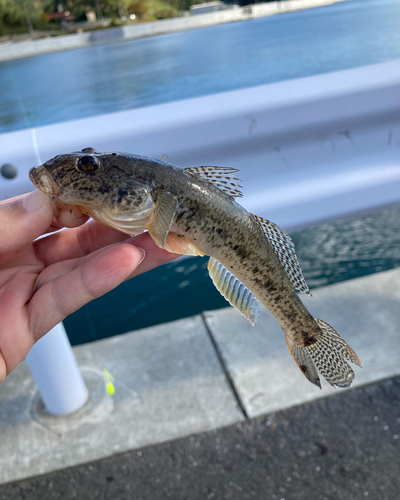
(327, 354)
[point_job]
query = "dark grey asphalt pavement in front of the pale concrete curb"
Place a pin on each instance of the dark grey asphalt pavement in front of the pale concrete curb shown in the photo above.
(343, 447)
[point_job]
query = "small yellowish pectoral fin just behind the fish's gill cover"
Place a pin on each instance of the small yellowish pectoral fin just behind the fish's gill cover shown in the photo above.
(163, 216)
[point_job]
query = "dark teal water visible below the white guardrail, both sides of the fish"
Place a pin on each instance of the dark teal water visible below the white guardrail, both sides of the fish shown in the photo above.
(328, 254)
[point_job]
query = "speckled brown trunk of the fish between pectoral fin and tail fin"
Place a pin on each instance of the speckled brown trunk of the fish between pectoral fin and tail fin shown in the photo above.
(223, 229)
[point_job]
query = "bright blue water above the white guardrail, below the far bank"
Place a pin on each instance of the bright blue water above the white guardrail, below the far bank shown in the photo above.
(86, 82)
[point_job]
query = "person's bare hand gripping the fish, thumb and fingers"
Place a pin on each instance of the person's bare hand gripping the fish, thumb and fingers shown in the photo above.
(44, 280)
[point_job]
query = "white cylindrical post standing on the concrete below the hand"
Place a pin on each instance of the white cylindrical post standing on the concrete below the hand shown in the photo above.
(56, 373)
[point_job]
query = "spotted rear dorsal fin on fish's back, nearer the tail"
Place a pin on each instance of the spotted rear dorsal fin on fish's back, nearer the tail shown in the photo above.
(284, 248)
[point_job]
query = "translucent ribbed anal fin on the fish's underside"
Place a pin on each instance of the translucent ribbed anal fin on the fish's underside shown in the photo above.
(239, 296)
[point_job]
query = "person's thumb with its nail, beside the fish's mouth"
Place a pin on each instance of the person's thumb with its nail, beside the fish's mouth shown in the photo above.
(23, 219)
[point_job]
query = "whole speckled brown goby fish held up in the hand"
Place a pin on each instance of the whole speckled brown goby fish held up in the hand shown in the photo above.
(193, 211)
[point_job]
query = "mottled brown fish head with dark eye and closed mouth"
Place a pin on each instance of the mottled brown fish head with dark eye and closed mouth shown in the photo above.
(100, 184)
